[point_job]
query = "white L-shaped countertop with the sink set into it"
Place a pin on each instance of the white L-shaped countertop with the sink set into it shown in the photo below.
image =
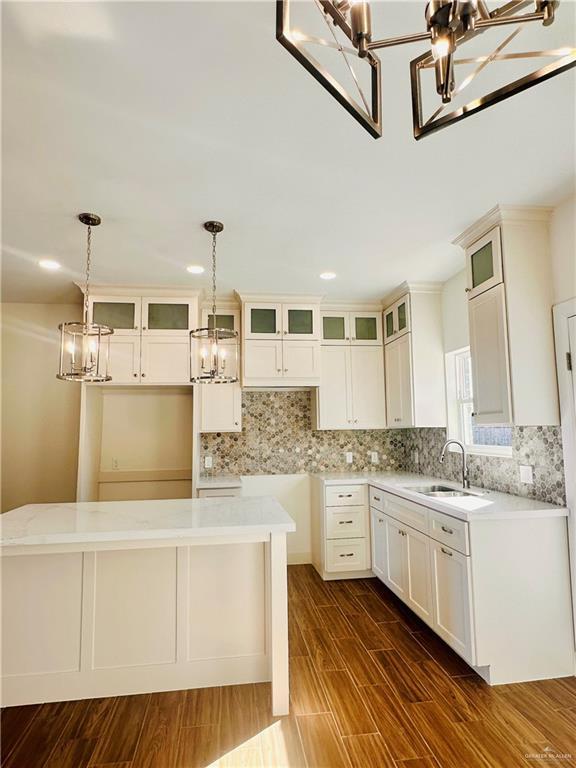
(482, 505)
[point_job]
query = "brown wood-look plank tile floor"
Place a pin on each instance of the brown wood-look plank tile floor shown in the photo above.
(371, 687)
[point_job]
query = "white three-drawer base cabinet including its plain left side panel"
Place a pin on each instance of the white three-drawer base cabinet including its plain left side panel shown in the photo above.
(340, 531)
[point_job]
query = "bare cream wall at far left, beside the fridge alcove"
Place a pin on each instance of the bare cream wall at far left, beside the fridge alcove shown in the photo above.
(40, 415)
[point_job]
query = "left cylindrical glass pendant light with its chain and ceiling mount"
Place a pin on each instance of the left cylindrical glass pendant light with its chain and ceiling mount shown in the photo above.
(85, 346)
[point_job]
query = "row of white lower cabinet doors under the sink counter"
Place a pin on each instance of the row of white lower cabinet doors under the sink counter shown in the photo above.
(430, 577)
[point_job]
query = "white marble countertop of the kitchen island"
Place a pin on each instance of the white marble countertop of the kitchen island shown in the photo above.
(133, 521)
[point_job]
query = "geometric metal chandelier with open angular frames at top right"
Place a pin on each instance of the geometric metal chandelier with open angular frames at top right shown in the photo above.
(468, 44)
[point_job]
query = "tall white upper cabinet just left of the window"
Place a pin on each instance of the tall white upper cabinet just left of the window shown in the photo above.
(414, 357)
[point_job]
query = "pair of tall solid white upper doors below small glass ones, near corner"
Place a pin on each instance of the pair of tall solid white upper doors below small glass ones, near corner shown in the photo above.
(351, 392)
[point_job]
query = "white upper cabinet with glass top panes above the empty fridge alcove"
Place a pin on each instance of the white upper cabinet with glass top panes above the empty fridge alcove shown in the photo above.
(151, 340)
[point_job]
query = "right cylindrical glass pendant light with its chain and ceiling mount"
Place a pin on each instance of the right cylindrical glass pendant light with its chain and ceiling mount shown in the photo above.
(214, 354)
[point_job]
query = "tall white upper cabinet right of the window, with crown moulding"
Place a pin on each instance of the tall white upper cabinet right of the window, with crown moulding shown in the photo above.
(509, 306)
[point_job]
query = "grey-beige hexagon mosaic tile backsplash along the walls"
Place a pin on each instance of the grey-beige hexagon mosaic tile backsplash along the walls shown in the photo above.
(277, 438)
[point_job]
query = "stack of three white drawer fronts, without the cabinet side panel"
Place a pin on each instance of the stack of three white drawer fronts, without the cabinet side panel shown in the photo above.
(346, 528)
